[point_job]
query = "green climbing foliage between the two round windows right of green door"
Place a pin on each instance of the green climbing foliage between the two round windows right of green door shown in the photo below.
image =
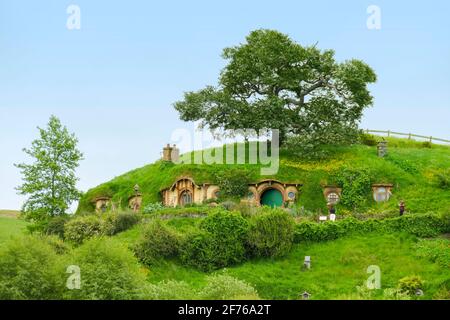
(356, 187)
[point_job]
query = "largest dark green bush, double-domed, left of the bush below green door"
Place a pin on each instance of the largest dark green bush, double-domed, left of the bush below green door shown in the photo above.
(220, 242)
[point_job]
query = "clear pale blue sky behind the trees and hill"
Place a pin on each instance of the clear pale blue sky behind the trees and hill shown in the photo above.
(113, 81)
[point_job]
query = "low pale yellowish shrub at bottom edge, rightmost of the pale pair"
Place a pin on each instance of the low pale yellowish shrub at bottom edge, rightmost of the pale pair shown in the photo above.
(224, 287)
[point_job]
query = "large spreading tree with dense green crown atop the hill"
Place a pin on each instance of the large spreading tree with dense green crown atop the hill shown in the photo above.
(271, 82)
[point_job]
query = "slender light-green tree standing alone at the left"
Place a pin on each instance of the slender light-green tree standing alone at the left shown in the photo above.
(50, 181)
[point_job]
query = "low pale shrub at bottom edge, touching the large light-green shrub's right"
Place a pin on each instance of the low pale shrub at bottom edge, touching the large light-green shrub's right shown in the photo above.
(169, 290)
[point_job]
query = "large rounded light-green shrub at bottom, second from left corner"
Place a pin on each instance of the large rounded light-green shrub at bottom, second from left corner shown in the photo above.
(109, 271)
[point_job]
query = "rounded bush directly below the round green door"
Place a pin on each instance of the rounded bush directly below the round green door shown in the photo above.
(271, 233)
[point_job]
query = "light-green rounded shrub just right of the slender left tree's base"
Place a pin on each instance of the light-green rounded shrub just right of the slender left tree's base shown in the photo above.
(81, 228)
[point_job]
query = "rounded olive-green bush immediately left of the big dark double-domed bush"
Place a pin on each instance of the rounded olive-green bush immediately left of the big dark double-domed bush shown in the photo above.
(157, 241)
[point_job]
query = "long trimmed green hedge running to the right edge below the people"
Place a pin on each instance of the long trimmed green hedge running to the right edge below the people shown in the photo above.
(421, 225)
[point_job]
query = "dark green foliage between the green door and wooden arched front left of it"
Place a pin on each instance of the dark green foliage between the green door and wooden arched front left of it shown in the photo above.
(233, 182)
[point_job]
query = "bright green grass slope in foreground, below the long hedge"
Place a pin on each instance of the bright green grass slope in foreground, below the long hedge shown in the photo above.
(337, 267)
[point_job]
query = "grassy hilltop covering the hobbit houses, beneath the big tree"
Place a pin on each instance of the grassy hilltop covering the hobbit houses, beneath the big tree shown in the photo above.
(413, 168)
